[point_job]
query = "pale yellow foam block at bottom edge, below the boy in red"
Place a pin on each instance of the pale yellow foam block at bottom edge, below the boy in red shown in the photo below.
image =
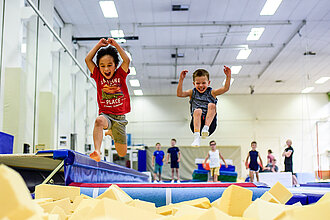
(113, 209)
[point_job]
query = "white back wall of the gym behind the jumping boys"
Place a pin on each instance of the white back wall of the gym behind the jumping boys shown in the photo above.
(268, 119)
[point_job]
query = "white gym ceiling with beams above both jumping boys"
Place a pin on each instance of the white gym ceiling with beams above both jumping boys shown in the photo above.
(199, 32)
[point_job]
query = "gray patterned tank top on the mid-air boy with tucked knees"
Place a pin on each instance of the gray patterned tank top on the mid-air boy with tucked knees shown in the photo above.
(201, 100)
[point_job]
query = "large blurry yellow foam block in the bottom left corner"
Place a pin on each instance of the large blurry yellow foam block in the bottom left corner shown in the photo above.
(15, 200)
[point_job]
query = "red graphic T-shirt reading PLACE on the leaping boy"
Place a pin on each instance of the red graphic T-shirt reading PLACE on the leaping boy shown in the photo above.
(112, 94)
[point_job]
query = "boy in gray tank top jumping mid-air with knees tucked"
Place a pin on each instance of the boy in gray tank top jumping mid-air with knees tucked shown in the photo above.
(203, 102)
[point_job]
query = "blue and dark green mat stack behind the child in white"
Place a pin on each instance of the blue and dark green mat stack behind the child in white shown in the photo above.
(226, 174)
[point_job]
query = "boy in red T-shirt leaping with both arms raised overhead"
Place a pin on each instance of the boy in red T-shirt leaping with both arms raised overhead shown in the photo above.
(112, 94)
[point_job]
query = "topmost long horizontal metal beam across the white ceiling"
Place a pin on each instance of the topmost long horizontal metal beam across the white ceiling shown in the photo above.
(213, 23)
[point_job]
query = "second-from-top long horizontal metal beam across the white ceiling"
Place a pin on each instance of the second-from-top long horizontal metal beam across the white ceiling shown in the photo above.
(208, 46)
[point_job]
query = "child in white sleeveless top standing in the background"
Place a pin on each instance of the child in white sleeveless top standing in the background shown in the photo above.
(214, 155)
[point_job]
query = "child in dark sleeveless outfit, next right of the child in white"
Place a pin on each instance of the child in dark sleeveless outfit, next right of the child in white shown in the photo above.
(253, 166)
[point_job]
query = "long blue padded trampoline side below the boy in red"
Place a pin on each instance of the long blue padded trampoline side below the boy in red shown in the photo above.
(81, 168)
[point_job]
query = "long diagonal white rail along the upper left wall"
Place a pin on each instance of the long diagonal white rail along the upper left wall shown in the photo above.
(59, 40)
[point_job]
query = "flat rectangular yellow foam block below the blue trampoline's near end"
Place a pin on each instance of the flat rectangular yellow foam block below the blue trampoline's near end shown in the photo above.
(56, 192)
